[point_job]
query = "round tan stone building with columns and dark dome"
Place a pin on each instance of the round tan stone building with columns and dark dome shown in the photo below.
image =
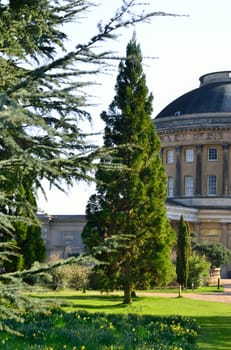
(195, 133)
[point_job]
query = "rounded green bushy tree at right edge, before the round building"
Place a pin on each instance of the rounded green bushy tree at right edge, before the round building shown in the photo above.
(215, 252)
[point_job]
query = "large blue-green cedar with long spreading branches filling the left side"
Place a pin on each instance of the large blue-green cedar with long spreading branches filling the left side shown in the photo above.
(43, 99)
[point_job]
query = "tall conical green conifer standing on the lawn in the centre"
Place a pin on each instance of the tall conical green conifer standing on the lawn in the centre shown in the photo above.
(126, 219)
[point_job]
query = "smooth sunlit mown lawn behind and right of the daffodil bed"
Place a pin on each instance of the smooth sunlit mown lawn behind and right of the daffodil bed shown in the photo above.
(214, 318)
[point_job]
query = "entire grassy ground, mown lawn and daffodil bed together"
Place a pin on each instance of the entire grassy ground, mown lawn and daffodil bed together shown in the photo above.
(100, 321)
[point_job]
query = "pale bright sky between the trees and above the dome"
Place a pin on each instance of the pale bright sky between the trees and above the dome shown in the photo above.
(182, 49)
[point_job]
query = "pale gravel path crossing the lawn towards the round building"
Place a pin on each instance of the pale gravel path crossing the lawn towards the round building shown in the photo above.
(223, 297)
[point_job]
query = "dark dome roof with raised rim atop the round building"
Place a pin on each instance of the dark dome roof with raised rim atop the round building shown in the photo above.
(213, 96)
